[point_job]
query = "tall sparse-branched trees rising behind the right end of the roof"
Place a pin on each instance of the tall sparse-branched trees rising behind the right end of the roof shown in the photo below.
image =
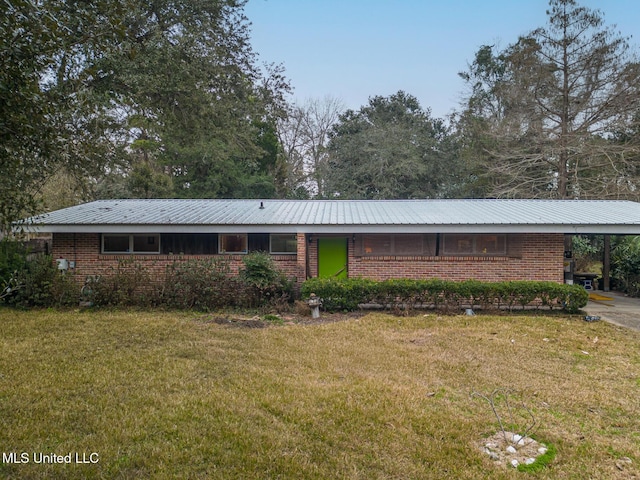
(544, 114)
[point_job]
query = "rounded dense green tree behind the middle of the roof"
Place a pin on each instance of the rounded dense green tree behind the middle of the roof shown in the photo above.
(390, 148)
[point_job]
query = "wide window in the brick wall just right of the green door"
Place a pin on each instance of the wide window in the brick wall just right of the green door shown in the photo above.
(397, 244)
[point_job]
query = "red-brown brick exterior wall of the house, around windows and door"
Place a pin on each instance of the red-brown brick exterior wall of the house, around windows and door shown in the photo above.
(529, 257)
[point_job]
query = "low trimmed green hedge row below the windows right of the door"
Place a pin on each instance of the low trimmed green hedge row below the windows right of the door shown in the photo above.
(349, 294)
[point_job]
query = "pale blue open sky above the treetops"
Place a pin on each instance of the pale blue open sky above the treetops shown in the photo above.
(355, 49)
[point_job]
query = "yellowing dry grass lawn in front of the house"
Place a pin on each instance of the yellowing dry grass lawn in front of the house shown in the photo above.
(174, 395)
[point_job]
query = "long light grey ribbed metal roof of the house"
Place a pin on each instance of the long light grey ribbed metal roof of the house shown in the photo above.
(344, 216)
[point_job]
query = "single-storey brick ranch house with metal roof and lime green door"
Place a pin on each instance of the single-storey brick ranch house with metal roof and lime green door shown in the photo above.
(487, 240)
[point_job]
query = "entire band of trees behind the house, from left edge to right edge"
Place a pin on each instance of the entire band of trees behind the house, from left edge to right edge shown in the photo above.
(165, 98)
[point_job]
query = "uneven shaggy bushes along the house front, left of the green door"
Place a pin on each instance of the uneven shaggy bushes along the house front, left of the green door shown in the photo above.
(200, 284)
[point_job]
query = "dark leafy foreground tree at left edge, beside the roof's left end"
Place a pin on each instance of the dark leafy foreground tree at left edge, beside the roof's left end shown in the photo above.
(47, 116)
